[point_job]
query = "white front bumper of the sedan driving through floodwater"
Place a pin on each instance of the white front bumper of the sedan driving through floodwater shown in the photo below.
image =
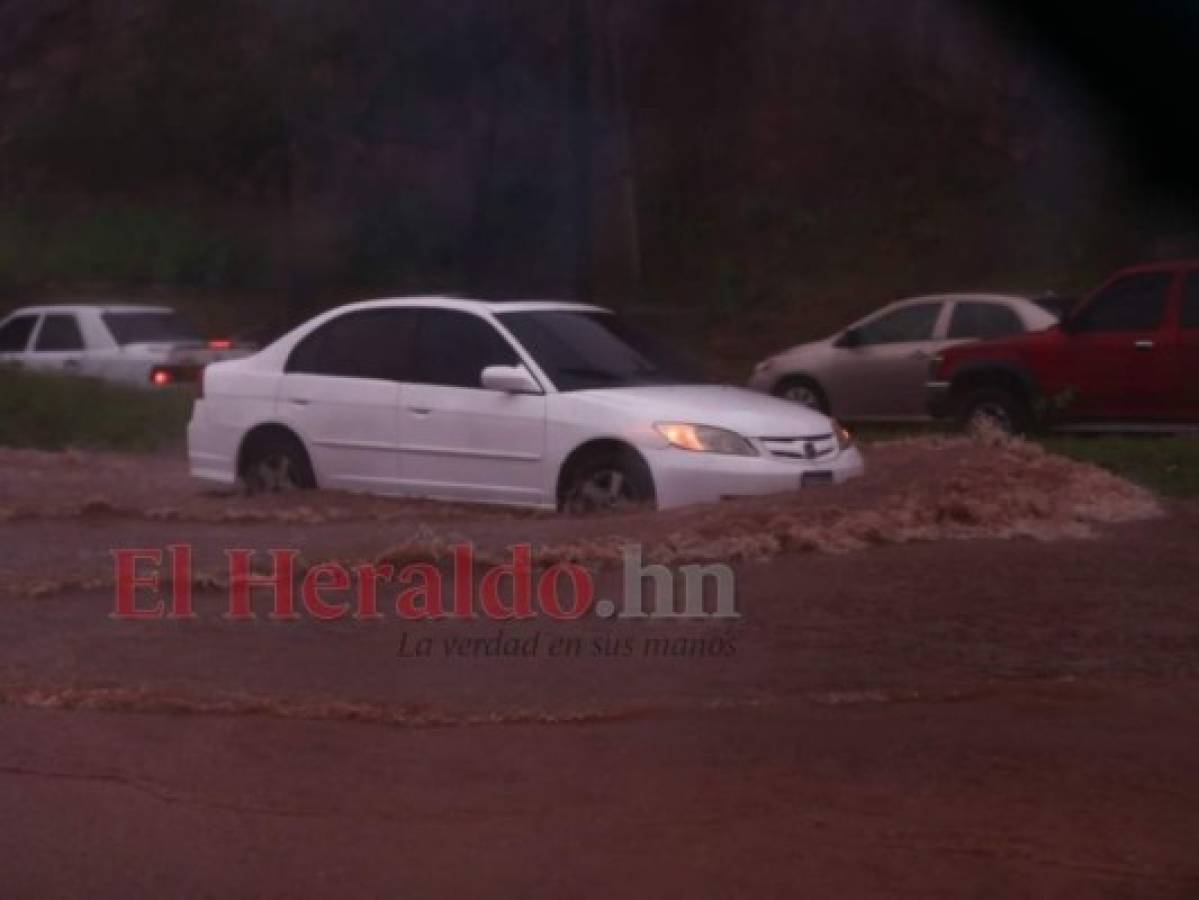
(682, 478)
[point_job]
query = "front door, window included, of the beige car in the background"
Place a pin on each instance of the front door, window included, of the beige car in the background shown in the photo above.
(881, 366)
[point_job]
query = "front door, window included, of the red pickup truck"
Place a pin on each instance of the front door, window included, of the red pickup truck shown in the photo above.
(1120, 359)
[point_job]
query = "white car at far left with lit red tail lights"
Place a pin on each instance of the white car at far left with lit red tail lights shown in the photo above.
(152, 347)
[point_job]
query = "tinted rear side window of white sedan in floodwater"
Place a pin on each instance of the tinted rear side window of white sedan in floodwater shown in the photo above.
(367, 345)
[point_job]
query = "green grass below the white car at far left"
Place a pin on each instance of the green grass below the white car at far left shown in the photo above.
(55, 413)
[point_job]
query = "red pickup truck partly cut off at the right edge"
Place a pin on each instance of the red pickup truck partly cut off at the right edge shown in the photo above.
(1126, 358)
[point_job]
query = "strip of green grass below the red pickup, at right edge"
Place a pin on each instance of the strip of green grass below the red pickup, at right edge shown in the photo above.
(1166, 464)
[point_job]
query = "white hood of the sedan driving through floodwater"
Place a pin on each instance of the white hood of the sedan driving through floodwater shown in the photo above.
(748, 413)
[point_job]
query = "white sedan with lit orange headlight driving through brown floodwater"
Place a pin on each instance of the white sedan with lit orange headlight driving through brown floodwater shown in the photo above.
(540, 404)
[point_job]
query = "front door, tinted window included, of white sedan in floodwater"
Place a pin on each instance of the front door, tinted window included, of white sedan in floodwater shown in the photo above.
(459, 440)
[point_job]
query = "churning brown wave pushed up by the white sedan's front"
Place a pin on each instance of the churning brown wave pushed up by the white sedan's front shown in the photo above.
(932, 490)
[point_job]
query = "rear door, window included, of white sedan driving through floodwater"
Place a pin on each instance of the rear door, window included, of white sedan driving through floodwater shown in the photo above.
(341, 392)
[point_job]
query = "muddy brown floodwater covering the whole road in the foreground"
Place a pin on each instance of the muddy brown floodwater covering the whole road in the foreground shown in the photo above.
(973, 673)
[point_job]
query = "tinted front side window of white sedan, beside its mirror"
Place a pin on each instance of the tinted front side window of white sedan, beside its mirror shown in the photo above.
(454, 348)
